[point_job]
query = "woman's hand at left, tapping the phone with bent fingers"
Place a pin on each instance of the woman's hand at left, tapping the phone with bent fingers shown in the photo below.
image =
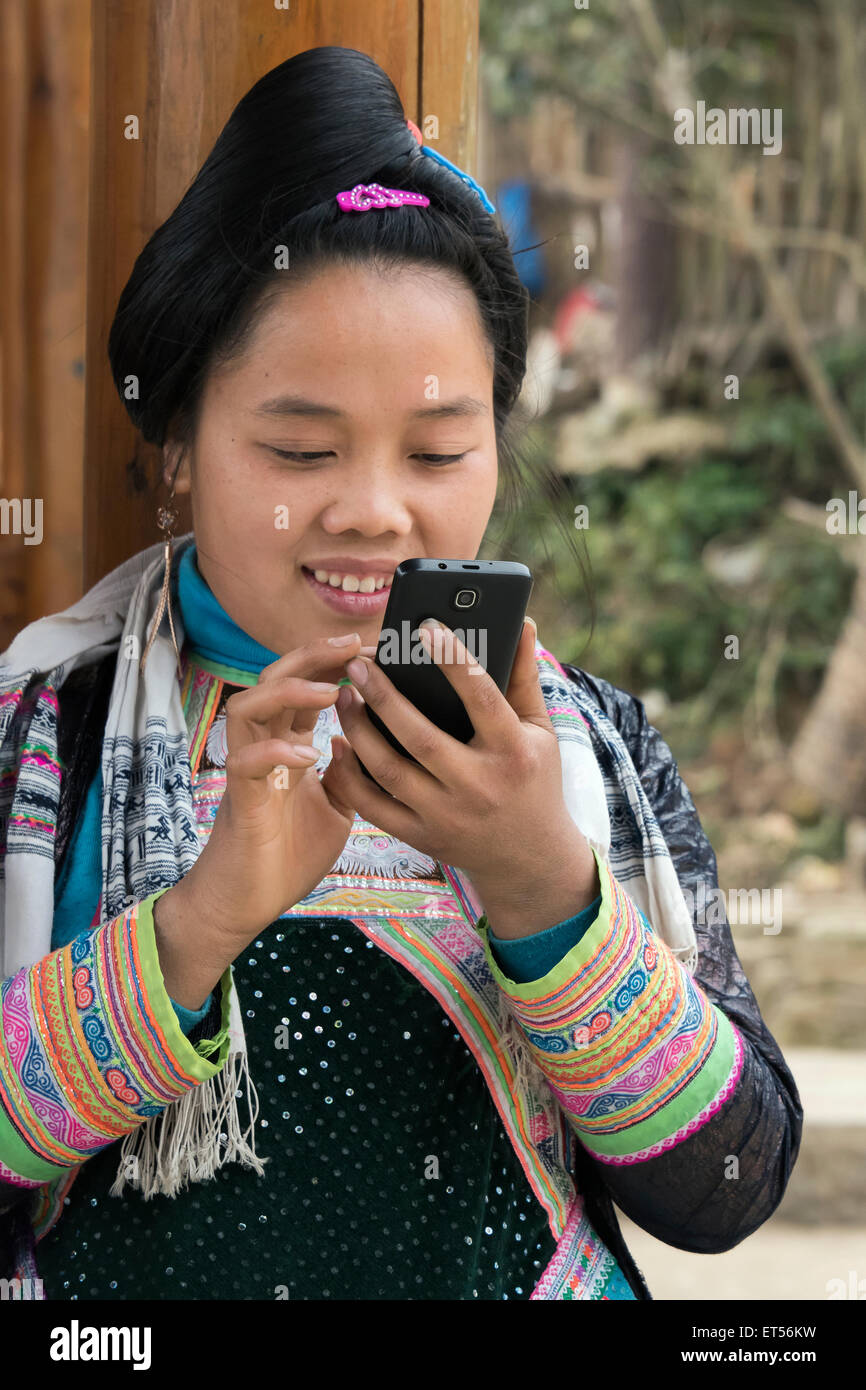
(277, 829)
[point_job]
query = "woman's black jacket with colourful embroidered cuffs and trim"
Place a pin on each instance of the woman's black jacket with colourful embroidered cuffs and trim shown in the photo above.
(615, 1075)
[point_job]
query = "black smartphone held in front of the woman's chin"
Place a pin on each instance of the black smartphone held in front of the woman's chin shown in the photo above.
(483, 601)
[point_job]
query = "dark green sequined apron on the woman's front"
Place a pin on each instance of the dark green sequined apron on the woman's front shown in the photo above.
(390, 1175)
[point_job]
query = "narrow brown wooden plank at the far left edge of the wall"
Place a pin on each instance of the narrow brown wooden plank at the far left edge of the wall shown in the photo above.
(45, 58)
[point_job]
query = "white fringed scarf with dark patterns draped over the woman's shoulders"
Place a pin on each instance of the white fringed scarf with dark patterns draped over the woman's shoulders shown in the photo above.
(151, 842)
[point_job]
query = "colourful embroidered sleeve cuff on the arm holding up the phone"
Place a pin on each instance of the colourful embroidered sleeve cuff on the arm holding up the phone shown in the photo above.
(632, 1047)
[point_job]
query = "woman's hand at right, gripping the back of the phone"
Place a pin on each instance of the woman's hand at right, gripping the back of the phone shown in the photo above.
(494, 807)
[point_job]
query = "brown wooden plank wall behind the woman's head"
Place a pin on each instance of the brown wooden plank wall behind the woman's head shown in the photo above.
(80, 201)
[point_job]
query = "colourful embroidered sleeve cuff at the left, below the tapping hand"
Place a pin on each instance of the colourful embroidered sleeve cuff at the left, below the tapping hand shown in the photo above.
(92, 1047)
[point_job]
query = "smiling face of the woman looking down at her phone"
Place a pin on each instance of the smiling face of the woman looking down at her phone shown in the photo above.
(369, 373)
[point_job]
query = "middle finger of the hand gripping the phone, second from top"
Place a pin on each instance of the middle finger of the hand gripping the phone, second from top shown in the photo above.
(440, 754)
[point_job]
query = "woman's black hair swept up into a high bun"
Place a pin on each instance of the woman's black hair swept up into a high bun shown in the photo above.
(319, 123)
